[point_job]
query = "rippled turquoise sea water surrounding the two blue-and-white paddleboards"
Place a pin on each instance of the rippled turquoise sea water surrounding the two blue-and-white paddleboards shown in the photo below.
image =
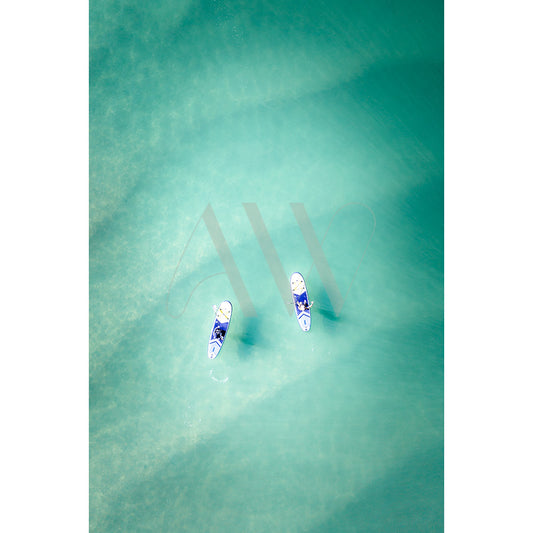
(336, 105)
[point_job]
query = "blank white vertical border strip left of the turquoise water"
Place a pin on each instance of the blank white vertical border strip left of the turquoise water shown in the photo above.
(44, 224)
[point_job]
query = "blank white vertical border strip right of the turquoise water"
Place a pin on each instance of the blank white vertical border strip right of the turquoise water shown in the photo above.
(488, 267)
